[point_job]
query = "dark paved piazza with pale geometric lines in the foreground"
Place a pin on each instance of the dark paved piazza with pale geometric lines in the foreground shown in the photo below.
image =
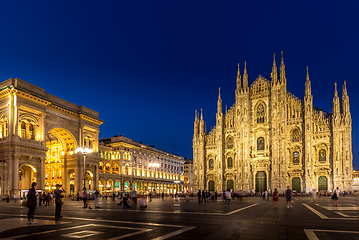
(169, 219)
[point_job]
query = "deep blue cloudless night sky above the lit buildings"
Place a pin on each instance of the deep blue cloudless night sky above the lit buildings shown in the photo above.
(147, 65)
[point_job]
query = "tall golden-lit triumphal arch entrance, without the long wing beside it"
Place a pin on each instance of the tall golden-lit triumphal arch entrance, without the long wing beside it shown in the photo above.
(39, 134)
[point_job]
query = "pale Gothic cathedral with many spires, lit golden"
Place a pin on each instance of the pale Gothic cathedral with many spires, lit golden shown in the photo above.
(270, 139)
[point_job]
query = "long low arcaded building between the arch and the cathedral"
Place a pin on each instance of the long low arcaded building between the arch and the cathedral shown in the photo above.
(127, 165)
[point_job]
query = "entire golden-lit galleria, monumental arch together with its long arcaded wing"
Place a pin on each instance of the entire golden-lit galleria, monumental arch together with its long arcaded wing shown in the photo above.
(40, 138)
